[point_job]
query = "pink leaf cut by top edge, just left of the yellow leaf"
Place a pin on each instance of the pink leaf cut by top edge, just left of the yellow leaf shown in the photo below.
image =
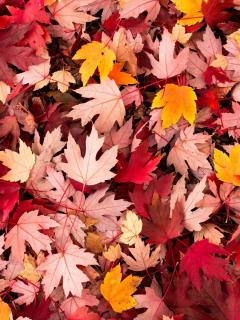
(135, 7)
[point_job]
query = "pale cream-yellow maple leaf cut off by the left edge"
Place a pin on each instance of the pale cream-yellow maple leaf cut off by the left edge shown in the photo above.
(20, 163)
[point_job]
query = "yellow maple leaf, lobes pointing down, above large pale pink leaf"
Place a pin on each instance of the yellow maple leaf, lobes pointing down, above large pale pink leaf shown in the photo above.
(96, 55)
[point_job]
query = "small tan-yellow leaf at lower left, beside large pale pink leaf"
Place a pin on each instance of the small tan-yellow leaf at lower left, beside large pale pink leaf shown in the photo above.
(30, 273)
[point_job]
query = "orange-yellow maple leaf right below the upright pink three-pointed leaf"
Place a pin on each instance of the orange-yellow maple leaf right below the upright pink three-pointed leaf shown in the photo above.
(176, 101)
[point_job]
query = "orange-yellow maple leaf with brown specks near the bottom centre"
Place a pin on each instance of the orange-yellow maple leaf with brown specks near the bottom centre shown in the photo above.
(118, 293)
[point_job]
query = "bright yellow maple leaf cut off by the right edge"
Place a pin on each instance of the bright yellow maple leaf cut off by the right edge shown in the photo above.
(228, 168)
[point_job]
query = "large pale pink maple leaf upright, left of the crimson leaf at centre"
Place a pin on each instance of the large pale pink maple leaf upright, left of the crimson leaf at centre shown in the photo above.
(88, 170)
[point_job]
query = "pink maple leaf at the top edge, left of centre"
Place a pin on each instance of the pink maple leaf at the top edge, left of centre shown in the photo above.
(65, 13)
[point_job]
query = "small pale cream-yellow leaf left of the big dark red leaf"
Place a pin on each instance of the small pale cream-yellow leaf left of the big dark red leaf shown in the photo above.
(130, 228)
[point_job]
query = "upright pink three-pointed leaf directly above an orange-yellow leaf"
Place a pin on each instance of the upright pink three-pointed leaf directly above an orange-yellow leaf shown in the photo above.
(167, 66)
